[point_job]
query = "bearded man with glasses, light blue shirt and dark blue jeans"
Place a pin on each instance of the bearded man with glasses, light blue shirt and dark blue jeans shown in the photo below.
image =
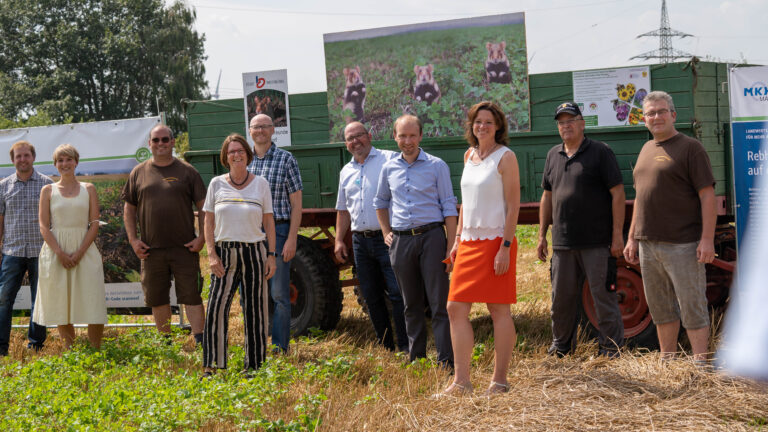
(357, 188)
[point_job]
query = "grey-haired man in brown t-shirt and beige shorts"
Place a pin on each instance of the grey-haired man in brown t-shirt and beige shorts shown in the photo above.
(673, 228)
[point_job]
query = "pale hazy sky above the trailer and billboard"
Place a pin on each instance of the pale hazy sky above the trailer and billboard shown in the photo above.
(247, 36)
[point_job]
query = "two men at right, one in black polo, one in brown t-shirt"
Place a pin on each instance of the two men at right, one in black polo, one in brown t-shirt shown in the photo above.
(671, 235)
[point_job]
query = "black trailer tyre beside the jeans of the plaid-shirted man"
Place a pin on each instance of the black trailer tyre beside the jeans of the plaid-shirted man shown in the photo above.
(316, 296)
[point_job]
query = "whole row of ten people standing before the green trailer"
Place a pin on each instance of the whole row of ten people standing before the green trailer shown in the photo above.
(407, 237)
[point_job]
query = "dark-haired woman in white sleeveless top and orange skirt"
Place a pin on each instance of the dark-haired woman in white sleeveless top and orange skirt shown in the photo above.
(485, 255)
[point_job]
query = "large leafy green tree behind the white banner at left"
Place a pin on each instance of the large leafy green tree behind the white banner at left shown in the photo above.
(98, 59)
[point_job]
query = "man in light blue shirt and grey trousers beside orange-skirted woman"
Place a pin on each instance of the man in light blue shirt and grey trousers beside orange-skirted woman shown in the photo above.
(416, 187)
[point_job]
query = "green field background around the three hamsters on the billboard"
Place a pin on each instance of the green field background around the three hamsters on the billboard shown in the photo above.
(386, 65)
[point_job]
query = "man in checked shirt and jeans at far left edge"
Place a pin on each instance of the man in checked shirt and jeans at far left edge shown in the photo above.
(21, 240)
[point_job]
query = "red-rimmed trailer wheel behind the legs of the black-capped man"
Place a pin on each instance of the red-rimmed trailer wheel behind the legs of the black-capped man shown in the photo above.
(639, 330)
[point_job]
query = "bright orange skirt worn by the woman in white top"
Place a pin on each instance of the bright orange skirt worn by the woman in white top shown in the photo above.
(473, 278)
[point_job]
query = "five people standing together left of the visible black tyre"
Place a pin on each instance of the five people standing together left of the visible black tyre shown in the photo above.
(250, 218)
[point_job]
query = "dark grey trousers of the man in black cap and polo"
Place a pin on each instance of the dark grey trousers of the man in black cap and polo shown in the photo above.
(569, 269)
